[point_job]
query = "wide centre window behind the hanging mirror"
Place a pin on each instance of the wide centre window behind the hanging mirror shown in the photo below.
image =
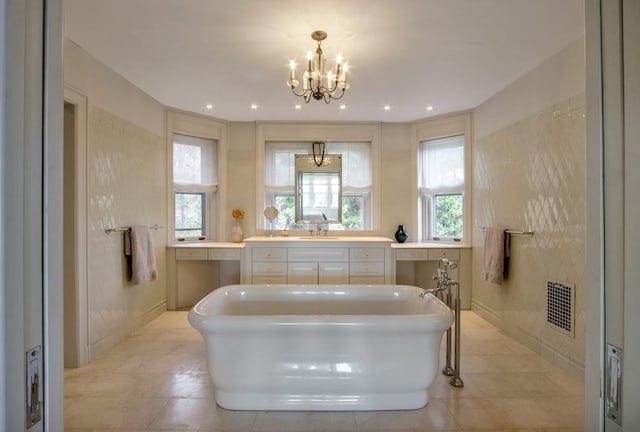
(356, 182)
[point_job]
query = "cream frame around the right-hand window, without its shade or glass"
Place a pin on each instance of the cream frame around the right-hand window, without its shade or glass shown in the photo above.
(423, 208)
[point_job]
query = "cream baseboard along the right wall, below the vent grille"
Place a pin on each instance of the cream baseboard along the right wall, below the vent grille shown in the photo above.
(530, 340)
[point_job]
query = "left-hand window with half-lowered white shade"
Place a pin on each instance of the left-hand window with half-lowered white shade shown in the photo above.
(195, 182)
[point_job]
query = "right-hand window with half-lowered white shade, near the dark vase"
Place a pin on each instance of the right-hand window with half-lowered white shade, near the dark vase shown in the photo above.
(441, 168)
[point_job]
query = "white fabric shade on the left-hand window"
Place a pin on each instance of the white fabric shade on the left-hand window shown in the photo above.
(194, 164)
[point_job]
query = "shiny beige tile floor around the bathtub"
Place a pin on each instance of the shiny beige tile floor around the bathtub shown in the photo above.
(157, 380)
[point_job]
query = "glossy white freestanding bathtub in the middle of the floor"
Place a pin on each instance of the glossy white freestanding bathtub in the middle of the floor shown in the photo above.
(321, 347)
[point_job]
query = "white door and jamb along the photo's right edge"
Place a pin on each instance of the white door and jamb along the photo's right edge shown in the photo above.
(613, 68)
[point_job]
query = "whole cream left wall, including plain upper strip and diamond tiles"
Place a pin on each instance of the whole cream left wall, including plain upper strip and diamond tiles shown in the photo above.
(126, 185)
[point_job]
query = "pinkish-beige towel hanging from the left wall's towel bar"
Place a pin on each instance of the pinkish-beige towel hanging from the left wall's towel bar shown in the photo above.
(141, 258)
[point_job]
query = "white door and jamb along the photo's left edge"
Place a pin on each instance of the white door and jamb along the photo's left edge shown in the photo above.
(30, 209)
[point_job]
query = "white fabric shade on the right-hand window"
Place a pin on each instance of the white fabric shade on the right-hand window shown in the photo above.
(442, 164)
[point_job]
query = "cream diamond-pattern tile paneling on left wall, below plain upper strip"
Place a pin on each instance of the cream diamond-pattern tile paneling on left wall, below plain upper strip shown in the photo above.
(126, 186)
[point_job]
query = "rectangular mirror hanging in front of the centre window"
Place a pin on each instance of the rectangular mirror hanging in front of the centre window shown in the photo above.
(318, 189)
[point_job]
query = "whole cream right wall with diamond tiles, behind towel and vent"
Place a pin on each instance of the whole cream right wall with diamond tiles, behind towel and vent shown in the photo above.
(529, 173)
